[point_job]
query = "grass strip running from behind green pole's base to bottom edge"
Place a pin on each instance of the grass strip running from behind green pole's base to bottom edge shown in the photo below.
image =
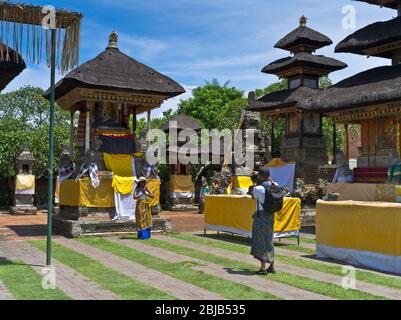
(124, 286)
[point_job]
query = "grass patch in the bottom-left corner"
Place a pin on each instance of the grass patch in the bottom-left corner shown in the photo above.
(24, 283)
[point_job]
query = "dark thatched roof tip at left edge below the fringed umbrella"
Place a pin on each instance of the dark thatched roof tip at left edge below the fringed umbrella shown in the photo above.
(10, 67)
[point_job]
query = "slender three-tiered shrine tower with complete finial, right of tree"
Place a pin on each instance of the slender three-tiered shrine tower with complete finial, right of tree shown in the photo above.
(303, 141)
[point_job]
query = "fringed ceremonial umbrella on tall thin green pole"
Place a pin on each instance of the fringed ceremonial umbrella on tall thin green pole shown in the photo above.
(36, 32)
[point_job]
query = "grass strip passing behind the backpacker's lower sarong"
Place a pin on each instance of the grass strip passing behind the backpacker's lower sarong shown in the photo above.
(332, 269)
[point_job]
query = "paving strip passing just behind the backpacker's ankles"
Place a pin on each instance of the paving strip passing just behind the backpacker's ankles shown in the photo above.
(386, 292)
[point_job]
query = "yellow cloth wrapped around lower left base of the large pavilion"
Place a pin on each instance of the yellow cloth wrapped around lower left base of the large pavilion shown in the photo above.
(82, 193)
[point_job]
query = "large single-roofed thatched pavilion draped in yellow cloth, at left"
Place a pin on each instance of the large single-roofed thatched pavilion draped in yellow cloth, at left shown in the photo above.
(107, 92)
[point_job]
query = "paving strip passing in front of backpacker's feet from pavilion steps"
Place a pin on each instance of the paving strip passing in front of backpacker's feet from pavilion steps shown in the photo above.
(265, 285)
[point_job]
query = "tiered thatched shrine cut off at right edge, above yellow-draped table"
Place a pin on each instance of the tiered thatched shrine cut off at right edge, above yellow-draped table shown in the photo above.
(371, 99)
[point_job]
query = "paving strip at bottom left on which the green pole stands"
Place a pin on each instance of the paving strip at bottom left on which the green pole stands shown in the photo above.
(75, 285)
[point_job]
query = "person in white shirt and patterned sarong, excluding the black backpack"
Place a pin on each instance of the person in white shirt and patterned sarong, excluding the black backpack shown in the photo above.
(263, 225)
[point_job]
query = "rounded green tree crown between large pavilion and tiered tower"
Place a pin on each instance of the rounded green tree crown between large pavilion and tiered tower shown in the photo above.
(215, 106)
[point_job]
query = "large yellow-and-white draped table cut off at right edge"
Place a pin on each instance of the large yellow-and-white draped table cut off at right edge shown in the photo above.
(360, 233)
